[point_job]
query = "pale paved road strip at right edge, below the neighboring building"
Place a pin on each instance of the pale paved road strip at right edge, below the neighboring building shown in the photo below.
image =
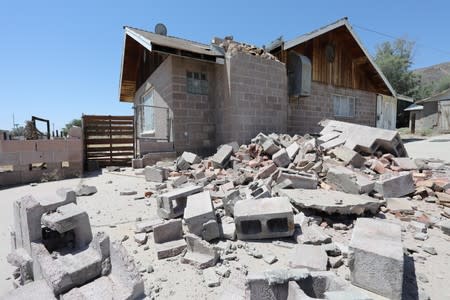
(433, 147)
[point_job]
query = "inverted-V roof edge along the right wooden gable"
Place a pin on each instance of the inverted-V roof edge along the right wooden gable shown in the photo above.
(342, 22)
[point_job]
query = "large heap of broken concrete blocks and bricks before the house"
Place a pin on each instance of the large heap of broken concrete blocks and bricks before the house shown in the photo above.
(348, 214)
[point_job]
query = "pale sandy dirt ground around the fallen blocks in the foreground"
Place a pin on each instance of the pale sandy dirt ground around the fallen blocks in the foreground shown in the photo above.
(117, 216)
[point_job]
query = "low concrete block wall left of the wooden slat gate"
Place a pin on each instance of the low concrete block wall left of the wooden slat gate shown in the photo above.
(63, 158)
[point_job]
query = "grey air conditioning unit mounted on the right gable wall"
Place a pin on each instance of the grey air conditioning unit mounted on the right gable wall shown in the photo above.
(299, 75)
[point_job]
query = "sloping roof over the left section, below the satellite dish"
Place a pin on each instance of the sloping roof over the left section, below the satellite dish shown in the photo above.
(148, 39)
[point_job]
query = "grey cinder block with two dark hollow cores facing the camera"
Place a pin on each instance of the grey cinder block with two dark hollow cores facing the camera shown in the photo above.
(264, 218)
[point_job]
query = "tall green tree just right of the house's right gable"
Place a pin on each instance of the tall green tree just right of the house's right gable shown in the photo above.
(395, 60)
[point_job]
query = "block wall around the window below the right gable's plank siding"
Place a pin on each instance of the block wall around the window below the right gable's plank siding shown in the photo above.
(305, 113)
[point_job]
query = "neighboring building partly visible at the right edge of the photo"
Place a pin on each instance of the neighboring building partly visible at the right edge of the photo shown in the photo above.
(431, 113)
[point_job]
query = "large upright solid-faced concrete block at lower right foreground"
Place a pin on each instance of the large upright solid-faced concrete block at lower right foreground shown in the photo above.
(376, 257)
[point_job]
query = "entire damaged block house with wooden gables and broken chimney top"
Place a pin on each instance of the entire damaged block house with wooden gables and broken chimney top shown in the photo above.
(189, 96)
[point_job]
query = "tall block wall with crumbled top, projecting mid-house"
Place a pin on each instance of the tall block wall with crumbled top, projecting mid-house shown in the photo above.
(251, 98)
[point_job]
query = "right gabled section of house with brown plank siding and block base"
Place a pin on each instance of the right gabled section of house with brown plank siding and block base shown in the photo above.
(346, 84)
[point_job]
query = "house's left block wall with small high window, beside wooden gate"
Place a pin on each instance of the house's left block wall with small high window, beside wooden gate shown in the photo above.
(193, 126)
